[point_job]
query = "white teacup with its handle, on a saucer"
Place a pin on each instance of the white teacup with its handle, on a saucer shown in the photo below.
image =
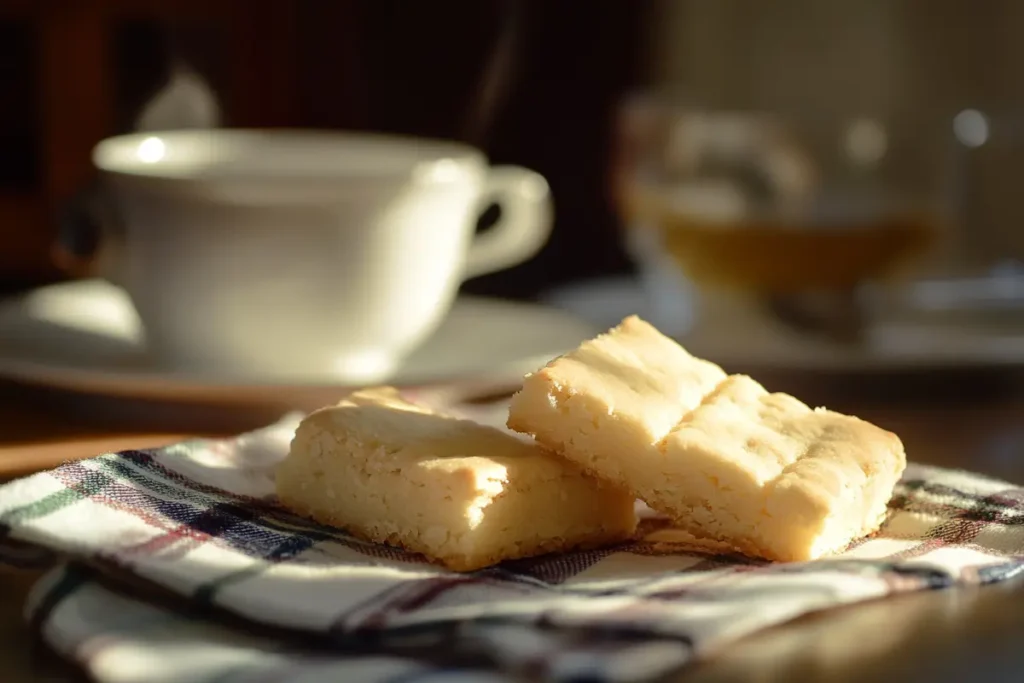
(303, 254)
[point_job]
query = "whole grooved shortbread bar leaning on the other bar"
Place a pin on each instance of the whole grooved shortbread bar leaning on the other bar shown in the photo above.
(740, 468)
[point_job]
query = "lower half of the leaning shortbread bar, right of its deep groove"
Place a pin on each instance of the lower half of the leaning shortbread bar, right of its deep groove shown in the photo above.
(775, 479)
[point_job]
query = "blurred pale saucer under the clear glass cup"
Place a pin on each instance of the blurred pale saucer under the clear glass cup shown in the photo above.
(901, 339)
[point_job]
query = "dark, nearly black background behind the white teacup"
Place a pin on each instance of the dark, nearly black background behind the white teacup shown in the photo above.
(533, 82)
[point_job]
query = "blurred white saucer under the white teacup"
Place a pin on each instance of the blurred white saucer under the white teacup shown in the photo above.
(86, 336)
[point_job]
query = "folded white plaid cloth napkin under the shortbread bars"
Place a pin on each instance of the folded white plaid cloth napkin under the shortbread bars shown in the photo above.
(181, 567)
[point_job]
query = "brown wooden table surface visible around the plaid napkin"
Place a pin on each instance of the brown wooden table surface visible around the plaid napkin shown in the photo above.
(937, 637)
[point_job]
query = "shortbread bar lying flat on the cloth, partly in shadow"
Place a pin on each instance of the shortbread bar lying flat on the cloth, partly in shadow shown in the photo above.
(465, 495)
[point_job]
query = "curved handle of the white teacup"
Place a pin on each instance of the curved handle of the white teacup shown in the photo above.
(524, 228)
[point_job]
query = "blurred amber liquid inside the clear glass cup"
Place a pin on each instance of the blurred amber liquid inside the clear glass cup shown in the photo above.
(786, 250)
